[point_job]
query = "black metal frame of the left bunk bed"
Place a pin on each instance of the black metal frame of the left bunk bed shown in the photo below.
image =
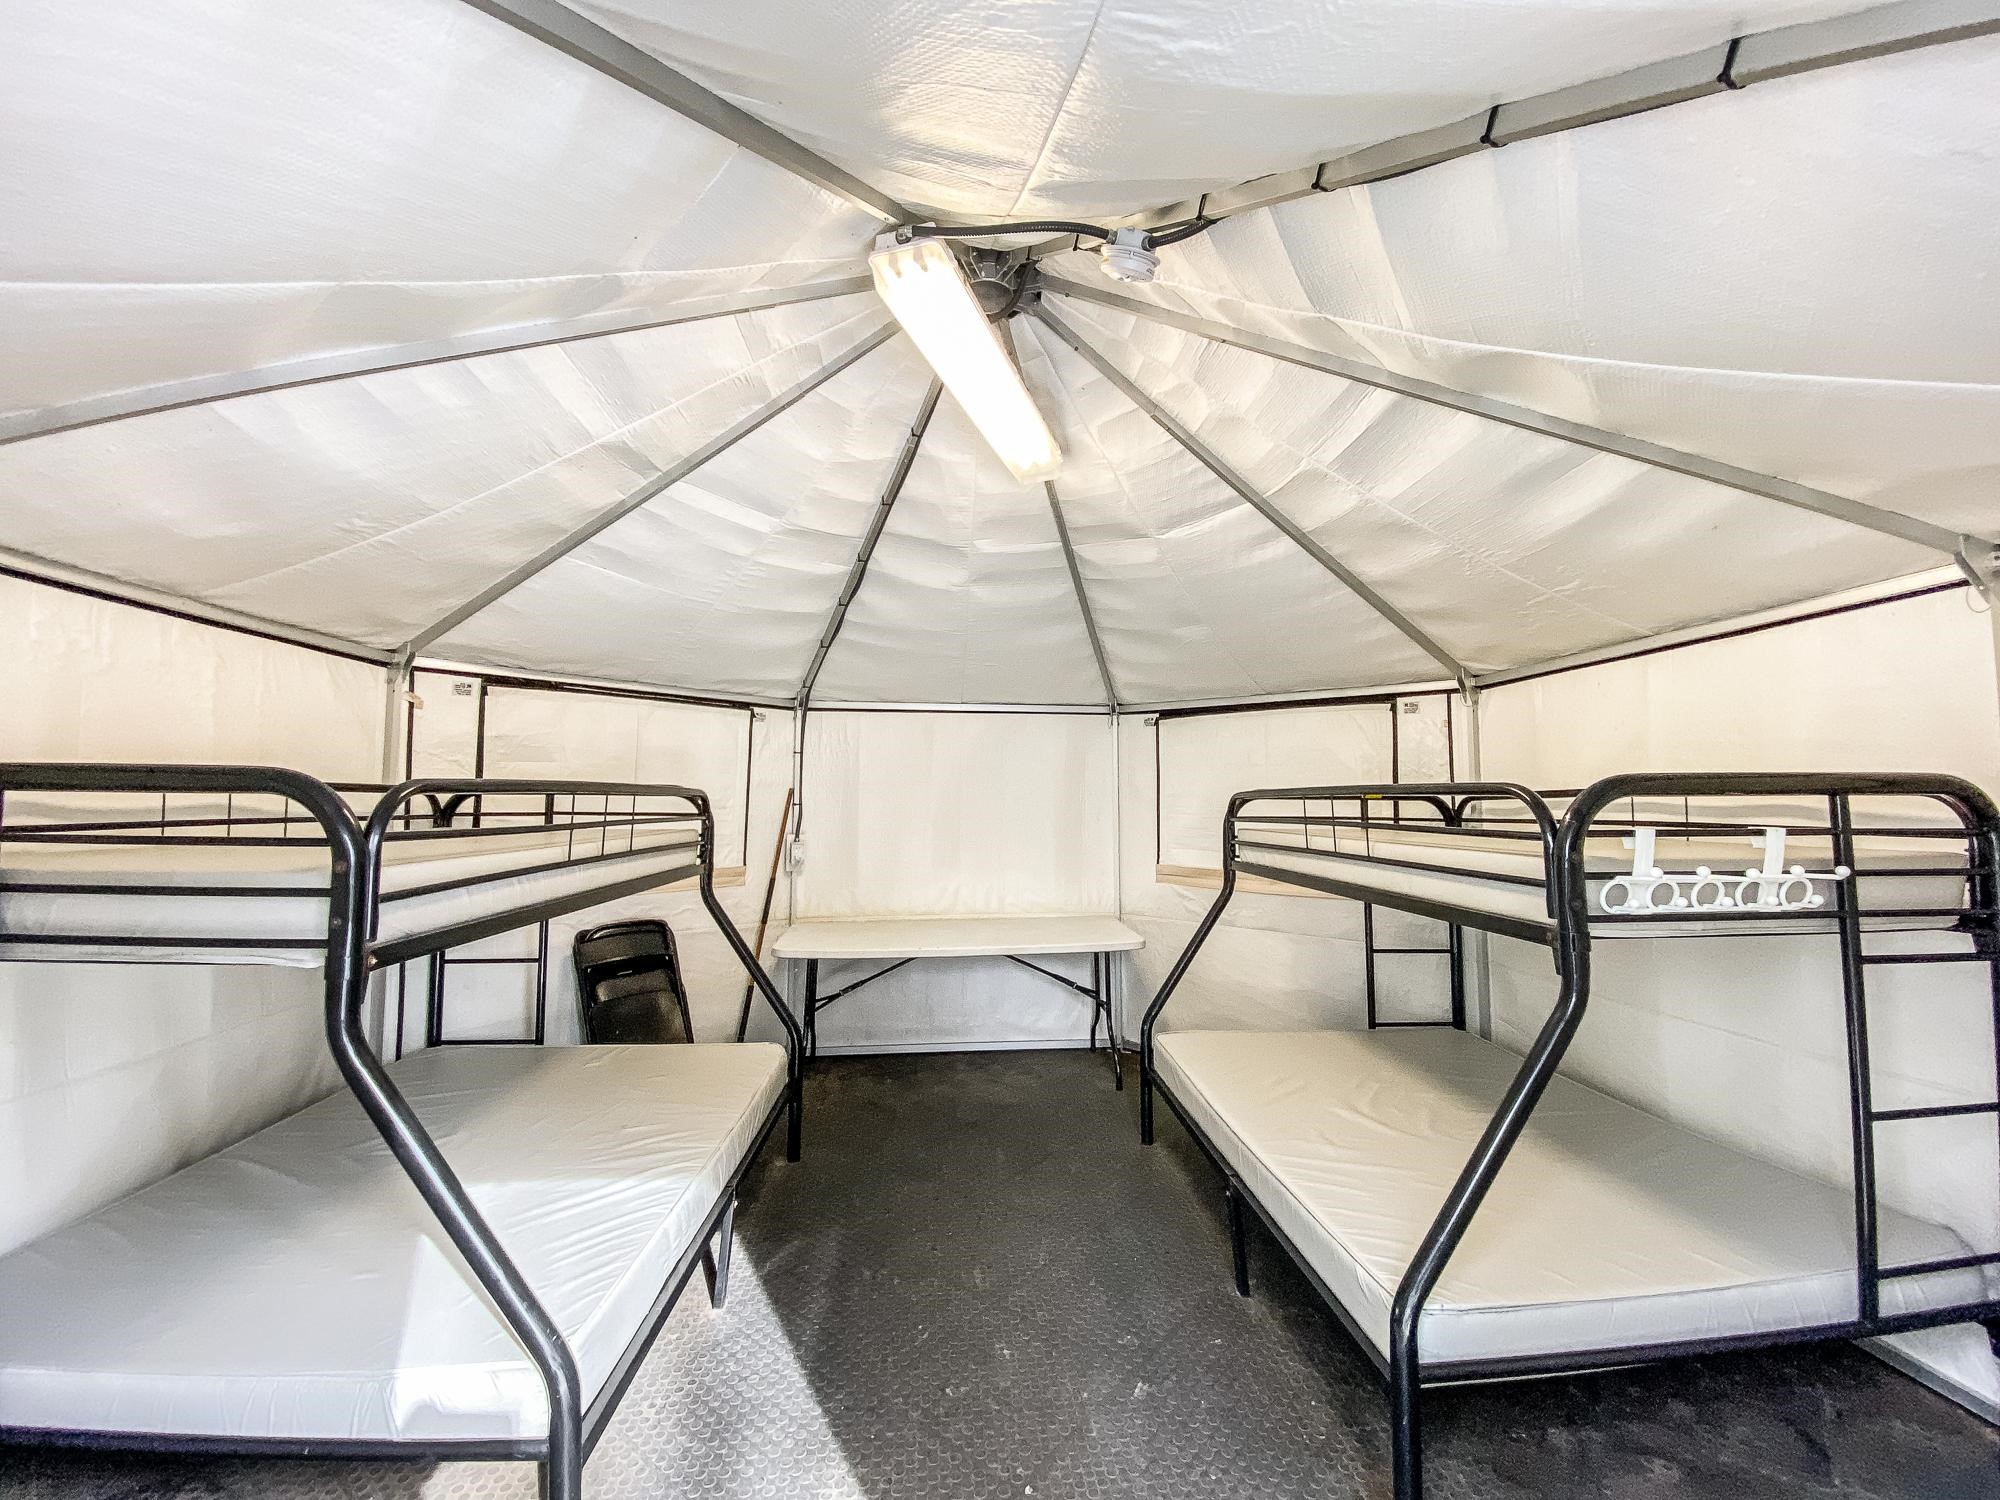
(353, 953)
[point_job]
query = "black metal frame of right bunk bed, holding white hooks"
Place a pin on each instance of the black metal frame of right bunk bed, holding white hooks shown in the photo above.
(1451, 809)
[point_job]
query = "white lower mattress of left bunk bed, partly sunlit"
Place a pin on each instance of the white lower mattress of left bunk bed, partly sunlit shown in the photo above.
(295, 1285)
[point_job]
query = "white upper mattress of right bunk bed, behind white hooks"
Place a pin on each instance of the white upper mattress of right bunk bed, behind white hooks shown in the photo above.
(1485, 875)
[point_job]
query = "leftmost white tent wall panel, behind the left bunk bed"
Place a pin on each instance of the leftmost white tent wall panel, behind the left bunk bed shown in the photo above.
(115, 1075)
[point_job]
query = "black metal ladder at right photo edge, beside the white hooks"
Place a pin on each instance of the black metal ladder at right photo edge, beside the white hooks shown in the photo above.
(1855, 963)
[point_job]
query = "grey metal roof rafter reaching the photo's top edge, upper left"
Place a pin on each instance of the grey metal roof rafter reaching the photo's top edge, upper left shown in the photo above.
(637, 69)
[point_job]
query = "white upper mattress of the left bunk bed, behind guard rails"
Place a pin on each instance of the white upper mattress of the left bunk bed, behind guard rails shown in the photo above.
(187, 917)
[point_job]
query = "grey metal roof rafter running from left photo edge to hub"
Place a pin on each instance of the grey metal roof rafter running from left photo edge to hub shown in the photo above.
(199, 391)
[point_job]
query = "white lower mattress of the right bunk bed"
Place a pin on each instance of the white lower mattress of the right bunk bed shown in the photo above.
(1607, 1227)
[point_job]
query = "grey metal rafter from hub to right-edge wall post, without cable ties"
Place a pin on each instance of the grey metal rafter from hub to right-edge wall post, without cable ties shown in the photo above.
(1619, 445)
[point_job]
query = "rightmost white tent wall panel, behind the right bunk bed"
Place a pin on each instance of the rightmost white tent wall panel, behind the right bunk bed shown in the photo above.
(1747, 1041)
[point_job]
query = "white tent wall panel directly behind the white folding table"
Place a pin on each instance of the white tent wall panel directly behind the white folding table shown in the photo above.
(951, 815)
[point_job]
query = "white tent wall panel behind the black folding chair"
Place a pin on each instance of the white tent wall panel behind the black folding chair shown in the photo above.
(579, 735)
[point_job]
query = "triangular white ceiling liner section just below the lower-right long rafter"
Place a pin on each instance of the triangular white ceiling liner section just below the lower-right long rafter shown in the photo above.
(1501, 543)
